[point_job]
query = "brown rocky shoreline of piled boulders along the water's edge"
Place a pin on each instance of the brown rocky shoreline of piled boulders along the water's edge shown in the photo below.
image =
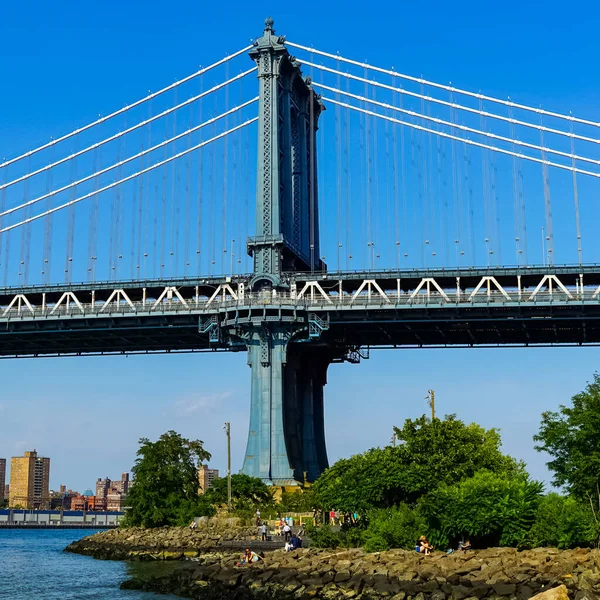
(492, 574)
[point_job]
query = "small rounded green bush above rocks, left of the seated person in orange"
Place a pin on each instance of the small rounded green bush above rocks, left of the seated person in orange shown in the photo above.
(398, 527)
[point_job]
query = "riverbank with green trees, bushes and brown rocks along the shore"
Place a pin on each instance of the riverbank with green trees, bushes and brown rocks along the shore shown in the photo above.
(440, 479)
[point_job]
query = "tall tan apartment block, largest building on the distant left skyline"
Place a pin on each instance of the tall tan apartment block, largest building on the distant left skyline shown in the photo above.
(29, 481)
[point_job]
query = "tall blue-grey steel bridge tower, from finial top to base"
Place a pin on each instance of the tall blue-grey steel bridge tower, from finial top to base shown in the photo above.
(286, 441)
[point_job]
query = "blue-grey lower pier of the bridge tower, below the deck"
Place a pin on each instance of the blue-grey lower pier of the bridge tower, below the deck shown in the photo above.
(286, 441)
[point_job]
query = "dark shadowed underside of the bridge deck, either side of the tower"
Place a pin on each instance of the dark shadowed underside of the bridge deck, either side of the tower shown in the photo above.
(421, 326)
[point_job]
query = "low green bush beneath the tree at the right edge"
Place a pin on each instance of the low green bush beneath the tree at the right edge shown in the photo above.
(562, 522)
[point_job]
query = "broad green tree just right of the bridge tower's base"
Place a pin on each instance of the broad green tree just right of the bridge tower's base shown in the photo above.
(429, 453)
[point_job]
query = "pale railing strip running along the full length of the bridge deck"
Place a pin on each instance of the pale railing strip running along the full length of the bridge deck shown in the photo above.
(22, 308)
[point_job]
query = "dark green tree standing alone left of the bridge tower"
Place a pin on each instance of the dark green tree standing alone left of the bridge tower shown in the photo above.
(165, 490)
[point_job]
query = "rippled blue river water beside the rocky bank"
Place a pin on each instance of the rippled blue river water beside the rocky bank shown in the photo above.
(33, 566)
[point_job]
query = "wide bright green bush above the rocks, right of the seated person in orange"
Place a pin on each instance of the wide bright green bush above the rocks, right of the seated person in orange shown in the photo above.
(489, 509)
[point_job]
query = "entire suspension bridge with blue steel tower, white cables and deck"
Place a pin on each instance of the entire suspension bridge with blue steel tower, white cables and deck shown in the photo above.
(302, 208)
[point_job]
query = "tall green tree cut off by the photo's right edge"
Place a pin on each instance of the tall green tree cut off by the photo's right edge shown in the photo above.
(571, 436)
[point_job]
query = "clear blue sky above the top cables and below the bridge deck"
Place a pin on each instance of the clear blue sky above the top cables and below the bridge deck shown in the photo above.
(65, 63)
